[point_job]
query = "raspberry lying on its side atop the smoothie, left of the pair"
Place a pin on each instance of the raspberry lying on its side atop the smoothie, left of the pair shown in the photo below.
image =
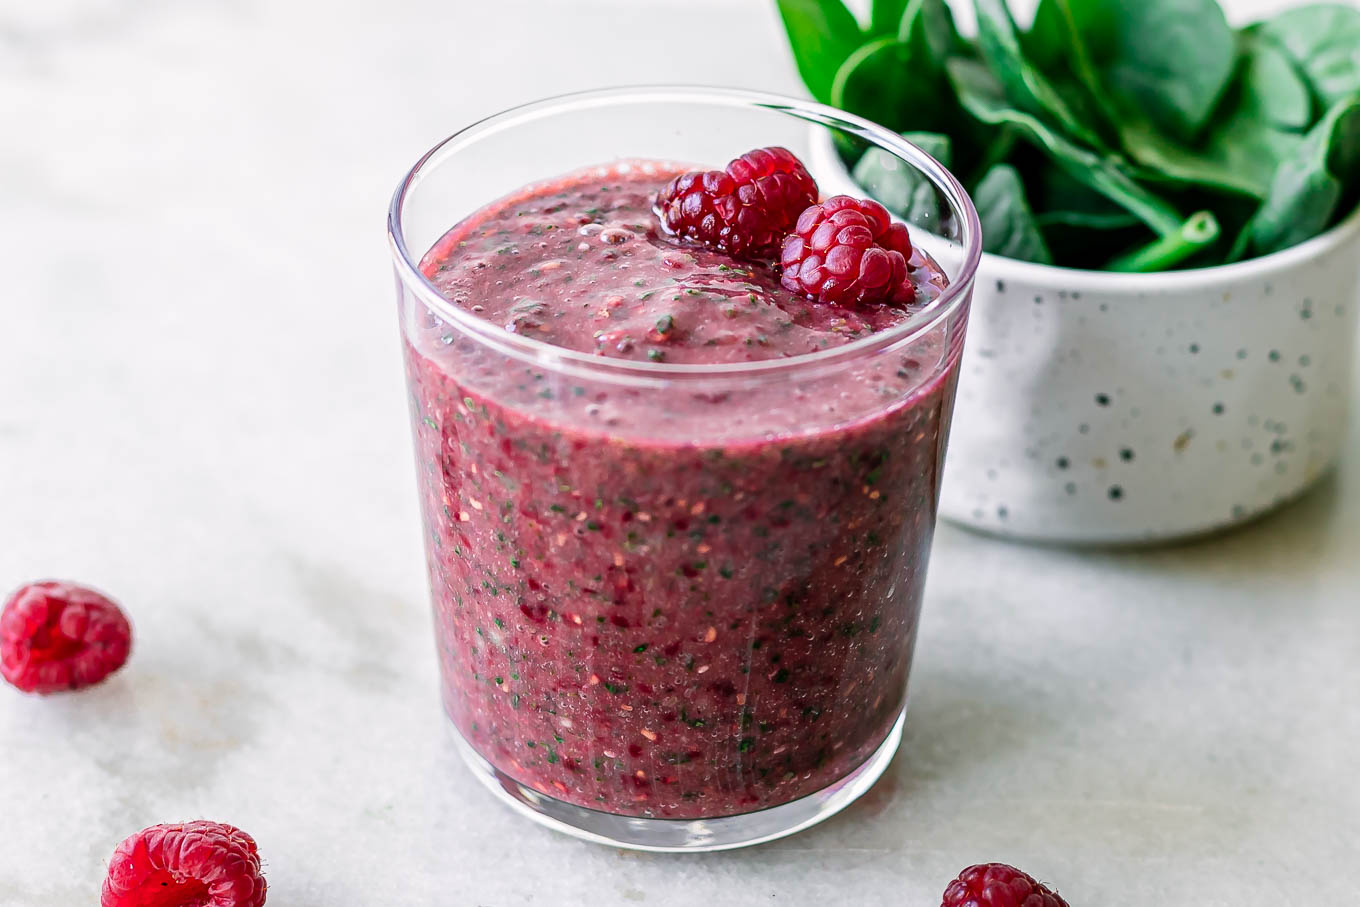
(745, 210)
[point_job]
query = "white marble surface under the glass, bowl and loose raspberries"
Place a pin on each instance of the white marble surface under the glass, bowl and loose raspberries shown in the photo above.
(197, 421)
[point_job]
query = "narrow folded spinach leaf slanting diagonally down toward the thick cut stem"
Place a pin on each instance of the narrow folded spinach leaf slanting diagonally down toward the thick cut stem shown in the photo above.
(984, 99)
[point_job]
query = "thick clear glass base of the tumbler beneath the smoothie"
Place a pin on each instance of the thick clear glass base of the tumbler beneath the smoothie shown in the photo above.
(685, 836)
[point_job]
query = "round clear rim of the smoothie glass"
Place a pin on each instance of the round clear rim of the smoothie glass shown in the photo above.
(562, 360)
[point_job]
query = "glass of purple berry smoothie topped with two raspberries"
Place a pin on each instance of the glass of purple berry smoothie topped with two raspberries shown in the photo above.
(679, 426)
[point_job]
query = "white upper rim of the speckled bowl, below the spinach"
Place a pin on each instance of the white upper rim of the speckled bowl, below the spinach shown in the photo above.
(1085, 279)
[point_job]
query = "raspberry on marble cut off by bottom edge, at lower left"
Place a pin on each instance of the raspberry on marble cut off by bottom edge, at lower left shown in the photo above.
(198, 864)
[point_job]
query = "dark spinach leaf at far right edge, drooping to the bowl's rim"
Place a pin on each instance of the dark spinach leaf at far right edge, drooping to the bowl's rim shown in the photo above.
(1310, 184)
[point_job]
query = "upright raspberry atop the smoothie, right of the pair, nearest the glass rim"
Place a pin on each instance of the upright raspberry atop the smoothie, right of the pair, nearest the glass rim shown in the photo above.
(848, 251)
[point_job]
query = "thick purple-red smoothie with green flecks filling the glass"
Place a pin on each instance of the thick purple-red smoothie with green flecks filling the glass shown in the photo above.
(677, 602)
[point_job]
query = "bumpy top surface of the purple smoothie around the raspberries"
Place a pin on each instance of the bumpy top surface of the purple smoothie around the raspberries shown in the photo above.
(584, 264)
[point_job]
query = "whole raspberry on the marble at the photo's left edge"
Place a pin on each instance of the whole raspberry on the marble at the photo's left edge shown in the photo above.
(58, 636)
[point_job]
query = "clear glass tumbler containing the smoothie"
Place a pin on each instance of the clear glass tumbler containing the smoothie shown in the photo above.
(675, 604)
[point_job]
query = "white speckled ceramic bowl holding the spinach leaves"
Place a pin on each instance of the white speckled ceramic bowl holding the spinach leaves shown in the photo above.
(1109, 409)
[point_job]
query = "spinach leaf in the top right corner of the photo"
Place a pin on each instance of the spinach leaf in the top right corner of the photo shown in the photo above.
(1324, 41)
